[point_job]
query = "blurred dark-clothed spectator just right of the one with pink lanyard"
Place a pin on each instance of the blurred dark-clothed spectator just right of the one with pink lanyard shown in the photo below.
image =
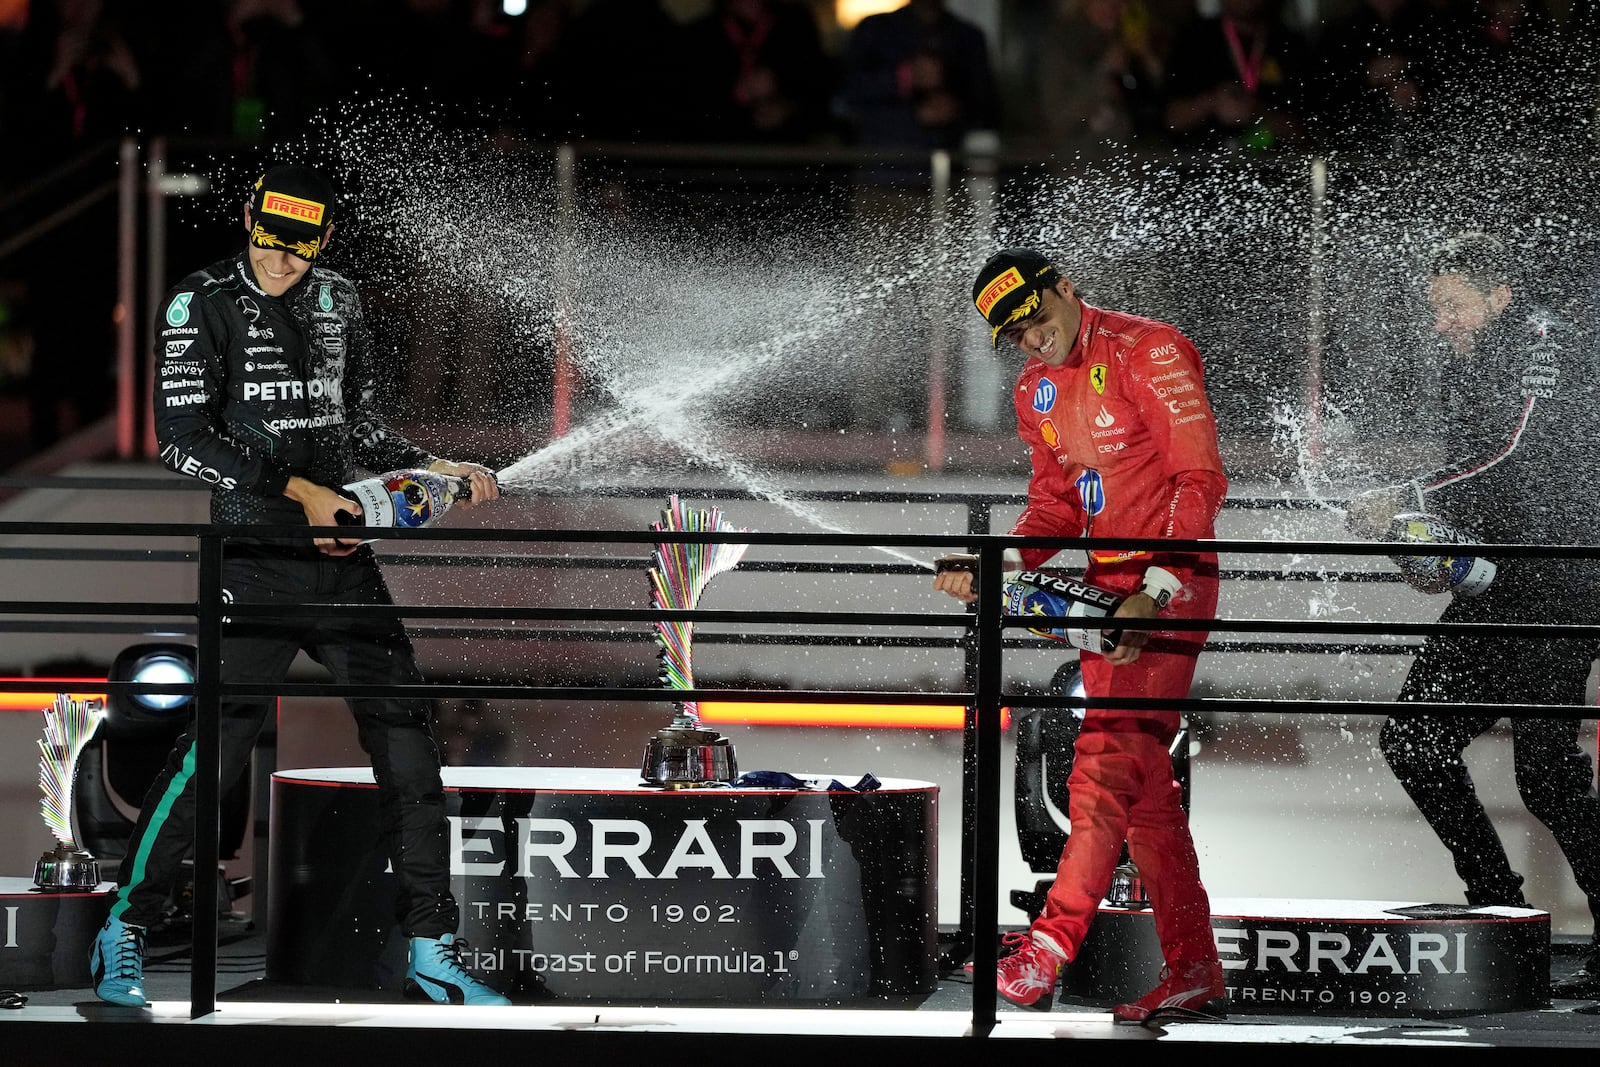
(1374, 73)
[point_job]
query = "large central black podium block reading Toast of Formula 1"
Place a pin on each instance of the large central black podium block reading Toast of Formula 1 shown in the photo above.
(586, 884)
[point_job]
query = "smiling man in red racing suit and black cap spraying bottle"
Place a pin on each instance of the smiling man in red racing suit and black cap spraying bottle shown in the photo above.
(1124, 444)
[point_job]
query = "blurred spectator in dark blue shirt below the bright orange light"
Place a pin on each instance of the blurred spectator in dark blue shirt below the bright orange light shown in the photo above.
(918, 78)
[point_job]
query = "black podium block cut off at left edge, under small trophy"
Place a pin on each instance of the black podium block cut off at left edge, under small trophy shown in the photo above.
(46, 937)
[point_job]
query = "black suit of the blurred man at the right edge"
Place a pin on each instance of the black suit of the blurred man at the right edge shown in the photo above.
(1524, 444)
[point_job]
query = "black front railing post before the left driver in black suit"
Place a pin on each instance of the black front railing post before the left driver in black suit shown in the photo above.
(209, 770)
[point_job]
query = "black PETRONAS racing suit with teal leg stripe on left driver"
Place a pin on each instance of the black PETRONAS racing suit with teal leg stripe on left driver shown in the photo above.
(250, 391)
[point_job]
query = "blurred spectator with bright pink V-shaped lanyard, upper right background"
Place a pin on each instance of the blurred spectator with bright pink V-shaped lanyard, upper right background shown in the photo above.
(1238, 81)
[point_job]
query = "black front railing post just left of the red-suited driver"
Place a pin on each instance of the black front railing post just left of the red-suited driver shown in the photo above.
(986, 829)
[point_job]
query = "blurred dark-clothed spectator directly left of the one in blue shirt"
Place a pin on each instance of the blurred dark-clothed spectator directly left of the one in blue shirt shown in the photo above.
(756, 71)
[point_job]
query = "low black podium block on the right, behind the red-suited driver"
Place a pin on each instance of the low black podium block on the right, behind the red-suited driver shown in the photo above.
(1338, 957)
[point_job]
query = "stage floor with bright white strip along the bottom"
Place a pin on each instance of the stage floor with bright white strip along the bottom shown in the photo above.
(262, 1021)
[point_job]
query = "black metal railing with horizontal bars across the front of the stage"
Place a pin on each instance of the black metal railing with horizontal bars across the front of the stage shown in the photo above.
(982, 636)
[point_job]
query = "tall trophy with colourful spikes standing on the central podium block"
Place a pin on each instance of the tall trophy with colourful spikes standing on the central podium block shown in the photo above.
(686, 754)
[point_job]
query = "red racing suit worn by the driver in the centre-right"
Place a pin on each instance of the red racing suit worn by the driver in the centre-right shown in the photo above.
(1124, 444)
